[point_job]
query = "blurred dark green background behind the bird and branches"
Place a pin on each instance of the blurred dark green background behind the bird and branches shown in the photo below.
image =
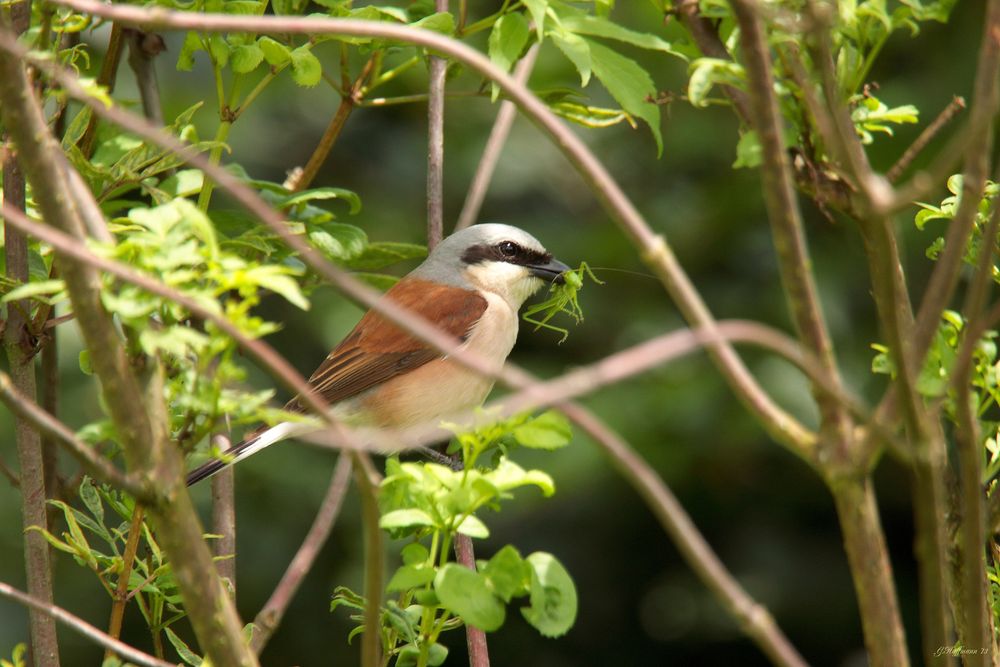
(766, 513)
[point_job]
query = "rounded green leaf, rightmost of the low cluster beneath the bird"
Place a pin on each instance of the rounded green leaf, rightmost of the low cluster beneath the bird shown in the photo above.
(553, 596)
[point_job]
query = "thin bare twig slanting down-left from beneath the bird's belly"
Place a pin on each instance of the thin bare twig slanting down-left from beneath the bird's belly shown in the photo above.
(269, 617)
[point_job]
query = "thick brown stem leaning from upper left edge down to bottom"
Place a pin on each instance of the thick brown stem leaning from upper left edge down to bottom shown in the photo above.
(142, 429)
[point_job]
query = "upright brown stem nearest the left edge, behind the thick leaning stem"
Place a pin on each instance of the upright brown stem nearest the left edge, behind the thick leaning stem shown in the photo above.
(19, 344)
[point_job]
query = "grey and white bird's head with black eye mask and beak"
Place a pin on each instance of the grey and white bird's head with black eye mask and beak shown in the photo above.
(494, 258)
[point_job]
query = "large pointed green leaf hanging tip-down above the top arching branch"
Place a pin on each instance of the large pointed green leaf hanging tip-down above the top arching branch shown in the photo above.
(629, 84)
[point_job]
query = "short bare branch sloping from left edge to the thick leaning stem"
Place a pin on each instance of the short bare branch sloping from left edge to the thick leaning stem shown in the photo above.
(49, 426)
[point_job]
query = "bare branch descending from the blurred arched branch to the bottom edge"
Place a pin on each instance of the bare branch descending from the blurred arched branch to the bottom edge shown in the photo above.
(751, 617)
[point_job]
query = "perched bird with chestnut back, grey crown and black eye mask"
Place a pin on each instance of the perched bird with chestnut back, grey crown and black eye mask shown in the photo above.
(471, 285)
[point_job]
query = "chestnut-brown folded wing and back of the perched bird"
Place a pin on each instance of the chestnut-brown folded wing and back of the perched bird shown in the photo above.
(377, 350)
